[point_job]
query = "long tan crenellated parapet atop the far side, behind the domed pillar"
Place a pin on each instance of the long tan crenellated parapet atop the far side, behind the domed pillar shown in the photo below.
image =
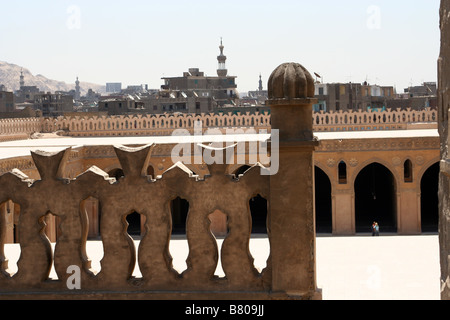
(165, 124)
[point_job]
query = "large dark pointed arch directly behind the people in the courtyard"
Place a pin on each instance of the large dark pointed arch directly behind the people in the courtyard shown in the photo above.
(375, 199)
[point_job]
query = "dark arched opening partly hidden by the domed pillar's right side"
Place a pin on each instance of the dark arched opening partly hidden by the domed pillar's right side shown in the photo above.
(324, 223)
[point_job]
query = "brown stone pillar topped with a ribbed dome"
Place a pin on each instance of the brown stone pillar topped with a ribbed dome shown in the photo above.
(292, 218)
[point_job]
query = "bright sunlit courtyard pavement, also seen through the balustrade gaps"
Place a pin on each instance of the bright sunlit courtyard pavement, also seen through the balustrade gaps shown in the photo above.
(388, 267)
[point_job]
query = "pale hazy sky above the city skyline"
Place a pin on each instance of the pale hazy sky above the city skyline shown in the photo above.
(392, 42)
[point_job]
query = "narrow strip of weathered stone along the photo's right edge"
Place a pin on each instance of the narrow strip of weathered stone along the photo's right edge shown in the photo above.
(444, 183)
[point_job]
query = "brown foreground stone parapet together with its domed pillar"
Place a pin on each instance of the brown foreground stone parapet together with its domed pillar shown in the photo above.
(290, 271)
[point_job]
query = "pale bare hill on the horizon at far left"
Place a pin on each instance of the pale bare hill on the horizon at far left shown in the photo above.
(10, 78)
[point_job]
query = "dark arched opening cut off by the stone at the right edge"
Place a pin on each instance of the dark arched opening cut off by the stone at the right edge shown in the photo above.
(429, 200)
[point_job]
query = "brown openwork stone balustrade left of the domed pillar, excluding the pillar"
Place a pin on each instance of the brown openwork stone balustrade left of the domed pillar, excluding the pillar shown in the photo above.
(63, 198)
